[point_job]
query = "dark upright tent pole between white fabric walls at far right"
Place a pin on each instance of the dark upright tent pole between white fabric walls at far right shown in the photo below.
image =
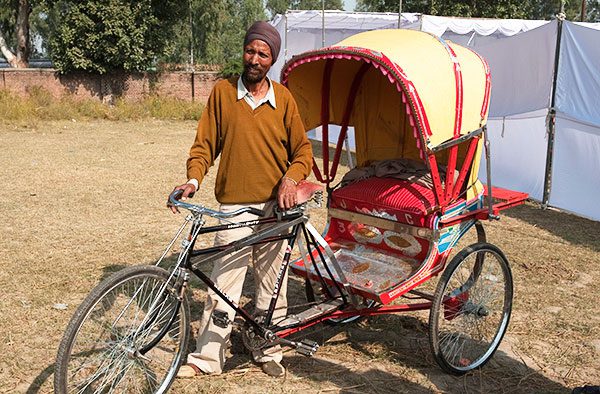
(551, 118)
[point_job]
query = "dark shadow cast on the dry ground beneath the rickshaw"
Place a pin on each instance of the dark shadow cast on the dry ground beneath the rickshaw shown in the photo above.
(357, 357)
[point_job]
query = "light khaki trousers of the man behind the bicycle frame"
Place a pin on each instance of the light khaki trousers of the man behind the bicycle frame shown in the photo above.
(228, 274)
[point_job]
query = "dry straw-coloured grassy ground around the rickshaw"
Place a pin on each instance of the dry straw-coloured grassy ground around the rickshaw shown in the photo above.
(81, 200)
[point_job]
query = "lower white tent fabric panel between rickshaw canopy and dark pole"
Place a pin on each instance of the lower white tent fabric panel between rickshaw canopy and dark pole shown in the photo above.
(518, 152)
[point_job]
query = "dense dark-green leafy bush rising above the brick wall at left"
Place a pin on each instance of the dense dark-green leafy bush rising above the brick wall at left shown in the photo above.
(101, 36)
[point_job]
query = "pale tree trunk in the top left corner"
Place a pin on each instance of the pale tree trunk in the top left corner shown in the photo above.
(20, 57)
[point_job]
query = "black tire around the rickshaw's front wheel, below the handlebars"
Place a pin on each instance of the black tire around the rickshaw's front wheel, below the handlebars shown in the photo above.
(96, 296)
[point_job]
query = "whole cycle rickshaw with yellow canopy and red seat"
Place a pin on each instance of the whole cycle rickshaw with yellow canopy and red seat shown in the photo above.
(418, 106)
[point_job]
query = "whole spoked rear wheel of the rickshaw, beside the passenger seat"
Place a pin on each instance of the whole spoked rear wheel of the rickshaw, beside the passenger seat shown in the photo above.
(471, 308)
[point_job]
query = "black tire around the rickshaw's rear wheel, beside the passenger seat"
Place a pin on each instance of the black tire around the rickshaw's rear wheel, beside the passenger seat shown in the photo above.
(440, 291)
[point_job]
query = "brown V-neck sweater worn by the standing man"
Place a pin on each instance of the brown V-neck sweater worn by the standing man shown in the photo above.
(257, 147)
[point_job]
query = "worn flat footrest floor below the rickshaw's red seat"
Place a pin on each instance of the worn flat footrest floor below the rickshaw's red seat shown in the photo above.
(371, 273)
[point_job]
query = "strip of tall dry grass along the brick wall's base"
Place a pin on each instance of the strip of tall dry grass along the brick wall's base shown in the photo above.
(40, 105)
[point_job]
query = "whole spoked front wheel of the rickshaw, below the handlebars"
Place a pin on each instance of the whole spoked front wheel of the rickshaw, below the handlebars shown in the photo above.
(128, 335)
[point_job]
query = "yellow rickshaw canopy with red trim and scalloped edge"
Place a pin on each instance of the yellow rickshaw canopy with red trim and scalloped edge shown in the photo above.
(443, 86)
